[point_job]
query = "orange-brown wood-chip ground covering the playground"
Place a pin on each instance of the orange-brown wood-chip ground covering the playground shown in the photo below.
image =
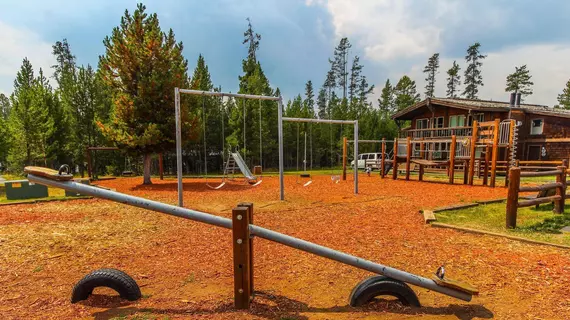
(184, 268)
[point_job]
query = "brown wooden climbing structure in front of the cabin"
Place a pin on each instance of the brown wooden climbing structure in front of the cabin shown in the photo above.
(446, 149)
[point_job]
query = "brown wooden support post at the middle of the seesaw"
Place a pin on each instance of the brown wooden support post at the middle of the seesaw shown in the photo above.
(242, 262)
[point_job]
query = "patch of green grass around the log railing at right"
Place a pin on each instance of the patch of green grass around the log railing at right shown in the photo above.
(536, 224)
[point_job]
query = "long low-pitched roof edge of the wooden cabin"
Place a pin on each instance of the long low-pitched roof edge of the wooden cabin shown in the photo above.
(478, 105)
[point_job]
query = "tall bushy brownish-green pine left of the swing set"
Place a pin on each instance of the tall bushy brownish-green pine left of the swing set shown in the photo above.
(142, 84)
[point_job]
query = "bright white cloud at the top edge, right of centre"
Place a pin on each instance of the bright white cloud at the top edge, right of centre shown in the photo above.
(386, 29)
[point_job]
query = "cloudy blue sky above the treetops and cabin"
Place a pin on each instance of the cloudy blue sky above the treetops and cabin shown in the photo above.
(392, 37)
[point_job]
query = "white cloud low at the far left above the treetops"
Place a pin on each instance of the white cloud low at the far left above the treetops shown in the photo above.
(18, 43)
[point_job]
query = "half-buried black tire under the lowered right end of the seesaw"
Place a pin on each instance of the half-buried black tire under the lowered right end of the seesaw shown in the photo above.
(366, 290)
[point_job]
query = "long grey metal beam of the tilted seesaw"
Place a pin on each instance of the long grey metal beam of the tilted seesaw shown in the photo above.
(254, 230)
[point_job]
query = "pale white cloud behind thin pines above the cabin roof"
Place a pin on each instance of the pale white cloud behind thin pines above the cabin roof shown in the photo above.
(548, 65)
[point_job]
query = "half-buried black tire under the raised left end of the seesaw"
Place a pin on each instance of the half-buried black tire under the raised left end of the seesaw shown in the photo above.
(111, 278)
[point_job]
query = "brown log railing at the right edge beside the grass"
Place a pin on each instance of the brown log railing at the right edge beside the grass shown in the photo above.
(513, 202)
